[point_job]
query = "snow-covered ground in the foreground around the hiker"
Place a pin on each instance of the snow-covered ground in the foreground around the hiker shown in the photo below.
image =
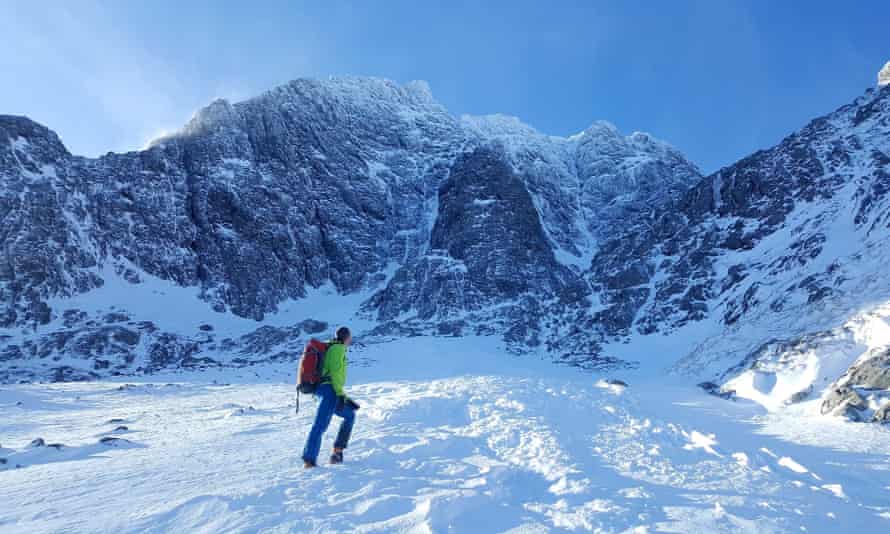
(453, 435)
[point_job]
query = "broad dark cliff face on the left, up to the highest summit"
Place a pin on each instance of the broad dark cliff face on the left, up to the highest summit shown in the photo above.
(299, 184)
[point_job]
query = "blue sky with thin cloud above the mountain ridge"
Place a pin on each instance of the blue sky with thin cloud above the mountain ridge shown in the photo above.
(716, 79)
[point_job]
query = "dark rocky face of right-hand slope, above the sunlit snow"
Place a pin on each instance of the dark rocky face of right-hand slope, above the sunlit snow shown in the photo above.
(780, 229)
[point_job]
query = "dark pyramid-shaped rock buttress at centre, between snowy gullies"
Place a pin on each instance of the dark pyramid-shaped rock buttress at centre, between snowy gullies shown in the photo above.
(482, 197)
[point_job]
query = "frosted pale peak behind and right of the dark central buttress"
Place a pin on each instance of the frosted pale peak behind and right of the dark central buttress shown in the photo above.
(586, 186)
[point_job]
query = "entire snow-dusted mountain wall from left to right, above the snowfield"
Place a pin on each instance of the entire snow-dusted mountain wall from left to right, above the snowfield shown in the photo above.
(363, 201)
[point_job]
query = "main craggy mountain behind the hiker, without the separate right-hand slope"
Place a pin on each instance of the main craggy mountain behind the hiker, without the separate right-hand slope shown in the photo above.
(231, 240)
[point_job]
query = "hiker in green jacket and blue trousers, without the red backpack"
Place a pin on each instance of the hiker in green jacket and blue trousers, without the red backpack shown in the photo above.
(333, 400)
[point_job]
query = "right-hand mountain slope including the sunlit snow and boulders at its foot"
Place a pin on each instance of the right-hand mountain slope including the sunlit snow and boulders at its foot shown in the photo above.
(773, 268)
